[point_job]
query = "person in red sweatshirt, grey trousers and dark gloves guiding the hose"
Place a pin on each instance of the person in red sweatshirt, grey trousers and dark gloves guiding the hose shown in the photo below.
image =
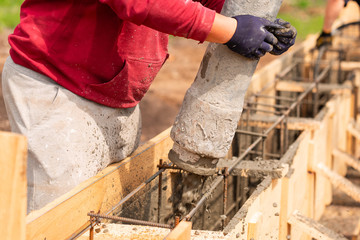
(78, 69)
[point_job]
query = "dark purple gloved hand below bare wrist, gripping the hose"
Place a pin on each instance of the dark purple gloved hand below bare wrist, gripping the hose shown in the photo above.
(252, 38)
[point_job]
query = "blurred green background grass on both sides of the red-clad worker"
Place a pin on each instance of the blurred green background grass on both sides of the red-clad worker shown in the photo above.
(305, 15)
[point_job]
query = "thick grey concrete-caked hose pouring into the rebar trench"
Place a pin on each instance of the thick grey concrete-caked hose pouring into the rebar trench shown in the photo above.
(208, 118)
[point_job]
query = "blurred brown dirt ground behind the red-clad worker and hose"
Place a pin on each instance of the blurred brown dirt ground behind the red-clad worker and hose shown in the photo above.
(163, 100)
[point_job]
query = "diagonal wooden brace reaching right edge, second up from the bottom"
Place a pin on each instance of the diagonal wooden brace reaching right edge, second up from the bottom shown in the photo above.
(338, 181)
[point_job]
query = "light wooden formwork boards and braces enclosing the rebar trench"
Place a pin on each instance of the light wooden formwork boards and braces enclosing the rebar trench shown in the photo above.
(286, 207)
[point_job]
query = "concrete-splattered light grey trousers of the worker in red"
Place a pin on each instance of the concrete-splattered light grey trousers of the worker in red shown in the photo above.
(70, 139)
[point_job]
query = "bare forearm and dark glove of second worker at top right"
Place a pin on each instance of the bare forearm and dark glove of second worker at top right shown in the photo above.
(332, 11)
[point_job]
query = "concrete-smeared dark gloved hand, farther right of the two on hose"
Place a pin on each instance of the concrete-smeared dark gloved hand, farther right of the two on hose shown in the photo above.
(285, 36)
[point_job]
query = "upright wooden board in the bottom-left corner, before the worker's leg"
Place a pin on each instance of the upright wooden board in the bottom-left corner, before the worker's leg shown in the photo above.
(13, 155)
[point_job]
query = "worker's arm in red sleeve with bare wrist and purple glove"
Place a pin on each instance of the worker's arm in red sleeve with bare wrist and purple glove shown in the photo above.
(247, 35)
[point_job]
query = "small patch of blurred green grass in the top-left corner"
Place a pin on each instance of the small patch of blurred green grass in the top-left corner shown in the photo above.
(9, 13)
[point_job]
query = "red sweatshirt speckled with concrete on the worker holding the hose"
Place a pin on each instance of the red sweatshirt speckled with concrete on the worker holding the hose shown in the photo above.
(107, 51)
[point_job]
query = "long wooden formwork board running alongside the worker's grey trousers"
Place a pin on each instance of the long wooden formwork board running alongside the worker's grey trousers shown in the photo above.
(98, 193)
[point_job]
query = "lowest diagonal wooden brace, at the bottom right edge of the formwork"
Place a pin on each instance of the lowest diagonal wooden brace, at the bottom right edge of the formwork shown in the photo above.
(313, 228)
